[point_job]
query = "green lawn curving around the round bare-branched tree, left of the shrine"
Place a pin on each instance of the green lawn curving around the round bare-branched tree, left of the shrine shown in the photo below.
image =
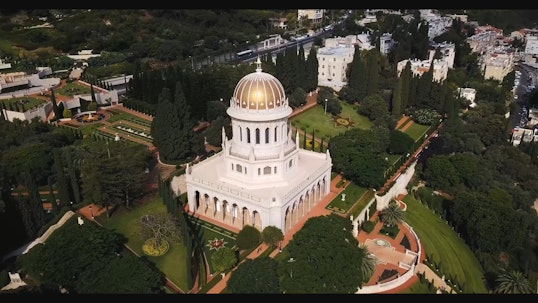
(126, 222)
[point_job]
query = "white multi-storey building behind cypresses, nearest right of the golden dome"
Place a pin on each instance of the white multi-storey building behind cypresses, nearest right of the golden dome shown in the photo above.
(332, 65)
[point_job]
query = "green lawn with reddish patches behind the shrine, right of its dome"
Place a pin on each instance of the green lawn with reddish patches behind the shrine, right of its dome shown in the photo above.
(324, 125)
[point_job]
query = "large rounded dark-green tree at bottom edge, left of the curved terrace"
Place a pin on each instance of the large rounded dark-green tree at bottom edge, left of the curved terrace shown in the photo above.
(324, 257)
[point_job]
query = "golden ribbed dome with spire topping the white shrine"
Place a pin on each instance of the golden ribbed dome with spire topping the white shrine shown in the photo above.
(259, 91)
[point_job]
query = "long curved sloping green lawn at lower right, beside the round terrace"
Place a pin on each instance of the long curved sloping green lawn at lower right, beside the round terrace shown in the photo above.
(445, 247)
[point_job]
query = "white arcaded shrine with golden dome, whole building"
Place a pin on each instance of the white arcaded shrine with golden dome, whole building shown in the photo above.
(261, 177)
